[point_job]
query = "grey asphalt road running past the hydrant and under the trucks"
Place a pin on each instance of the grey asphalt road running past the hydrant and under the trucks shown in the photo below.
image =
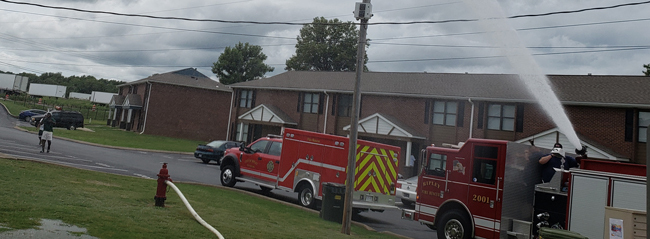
(146, 164)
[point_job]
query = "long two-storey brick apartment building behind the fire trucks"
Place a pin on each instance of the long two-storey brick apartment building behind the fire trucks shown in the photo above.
(412, 110)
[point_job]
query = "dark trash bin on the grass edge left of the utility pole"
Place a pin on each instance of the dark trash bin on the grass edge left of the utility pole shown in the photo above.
(333, 201)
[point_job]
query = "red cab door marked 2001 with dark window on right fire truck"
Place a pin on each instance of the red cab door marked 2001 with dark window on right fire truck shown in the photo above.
(485, 188)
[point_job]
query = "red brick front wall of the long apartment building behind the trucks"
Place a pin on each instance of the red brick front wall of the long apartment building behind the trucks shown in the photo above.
(605, 126)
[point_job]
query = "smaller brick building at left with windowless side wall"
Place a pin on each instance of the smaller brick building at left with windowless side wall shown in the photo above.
(181, 104)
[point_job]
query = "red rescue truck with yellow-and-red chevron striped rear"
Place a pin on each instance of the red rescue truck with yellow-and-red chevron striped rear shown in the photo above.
(302, 161)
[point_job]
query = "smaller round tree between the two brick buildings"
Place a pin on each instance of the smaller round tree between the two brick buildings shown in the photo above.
(241, 63)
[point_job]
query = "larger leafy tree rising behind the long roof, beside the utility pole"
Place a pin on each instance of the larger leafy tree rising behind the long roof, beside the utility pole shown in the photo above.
(326, 45)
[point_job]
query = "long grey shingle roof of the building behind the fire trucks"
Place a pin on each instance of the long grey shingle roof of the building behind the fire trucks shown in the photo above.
(571, 89)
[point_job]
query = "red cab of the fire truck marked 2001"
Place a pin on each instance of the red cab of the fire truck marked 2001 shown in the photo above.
(461, 190)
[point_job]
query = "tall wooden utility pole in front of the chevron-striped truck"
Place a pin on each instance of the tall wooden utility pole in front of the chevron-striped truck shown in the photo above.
(363, 11)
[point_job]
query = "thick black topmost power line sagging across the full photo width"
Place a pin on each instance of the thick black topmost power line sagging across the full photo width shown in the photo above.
(293, 23)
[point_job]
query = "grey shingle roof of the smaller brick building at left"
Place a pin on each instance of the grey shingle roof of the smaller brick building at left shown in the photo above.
(186, 77)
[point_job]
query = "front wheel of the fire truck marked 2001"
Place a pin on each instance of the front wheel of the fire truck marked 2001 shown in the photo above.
(454, 225)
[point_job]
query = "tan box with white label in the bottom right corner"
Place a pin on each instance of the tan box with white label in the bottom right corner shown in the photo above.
(623, 223)
